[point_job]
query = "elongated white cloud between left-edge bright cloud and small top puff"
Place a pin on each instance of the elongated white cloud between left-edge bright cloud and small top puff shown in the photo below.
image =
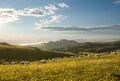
(39, 12)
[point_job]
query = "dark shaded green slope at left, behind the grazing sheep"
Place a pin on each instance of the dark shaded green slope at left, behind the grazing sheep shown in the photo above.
(25, 53)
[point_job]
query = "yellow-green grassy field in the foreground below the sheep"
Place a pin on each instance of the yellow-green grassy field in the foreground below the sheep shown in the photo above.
(105, 68)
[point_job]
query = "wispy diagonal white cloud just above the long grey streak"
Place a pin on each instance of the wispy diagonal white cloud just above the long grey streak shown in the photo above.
(46, 23)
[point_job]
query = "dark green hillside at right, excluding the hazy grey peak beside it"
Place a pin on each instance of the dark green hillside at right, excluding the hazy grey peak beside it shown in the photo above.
(94, 47)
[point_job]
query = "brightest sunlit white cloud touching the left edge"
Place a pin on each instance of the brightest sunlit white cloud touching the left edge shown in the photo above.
(8, 15)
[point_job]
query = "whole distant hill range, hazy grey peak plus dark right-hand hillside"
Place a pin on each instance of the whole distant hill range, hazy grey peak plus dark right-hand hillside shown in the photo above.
(72, 46)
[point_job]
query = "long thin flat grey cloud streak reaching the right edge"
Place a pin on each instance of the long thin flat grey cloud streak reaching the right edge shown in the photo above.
(77, 28)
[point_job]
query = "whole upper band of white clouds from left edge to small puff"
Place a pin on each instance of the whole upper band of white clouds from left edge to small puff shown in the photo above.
(8, 15)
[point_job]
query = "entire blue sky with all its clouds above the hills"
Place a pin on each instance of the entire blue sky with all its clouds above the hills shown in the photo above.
(36, 21)
